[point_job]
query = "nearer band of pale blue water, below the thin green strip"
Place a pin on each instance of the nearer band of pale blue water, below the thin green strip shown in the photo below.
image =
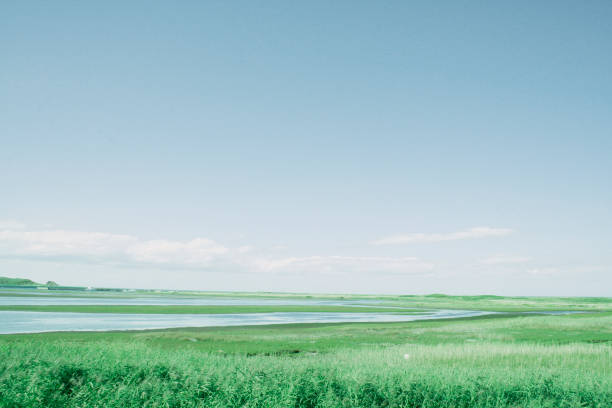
(33, 322)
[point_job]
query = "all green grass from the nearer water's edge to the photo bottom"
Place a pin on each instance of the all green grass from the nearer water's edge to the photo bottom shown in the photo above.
(535, 361)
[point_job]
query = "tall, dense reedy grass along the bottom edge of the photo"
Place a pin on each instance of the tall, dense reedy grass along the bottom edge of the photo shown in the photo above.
(103, 374)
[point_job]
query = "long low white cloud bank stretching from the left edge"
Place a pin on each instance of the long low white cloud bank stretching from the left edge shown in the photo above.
(199, 253)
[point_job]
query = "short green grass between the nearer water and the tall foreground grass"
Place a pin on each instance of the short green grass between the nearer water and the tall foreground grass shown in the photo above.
(329, 337)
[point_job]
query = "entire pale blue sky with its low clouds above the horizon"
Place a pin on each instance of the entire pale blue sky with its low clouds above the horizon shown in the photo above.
(357, 146)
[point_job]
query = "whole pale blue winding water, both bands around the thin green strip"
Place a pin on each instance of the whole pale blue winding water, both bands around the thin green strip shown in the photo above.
(34, 322)
